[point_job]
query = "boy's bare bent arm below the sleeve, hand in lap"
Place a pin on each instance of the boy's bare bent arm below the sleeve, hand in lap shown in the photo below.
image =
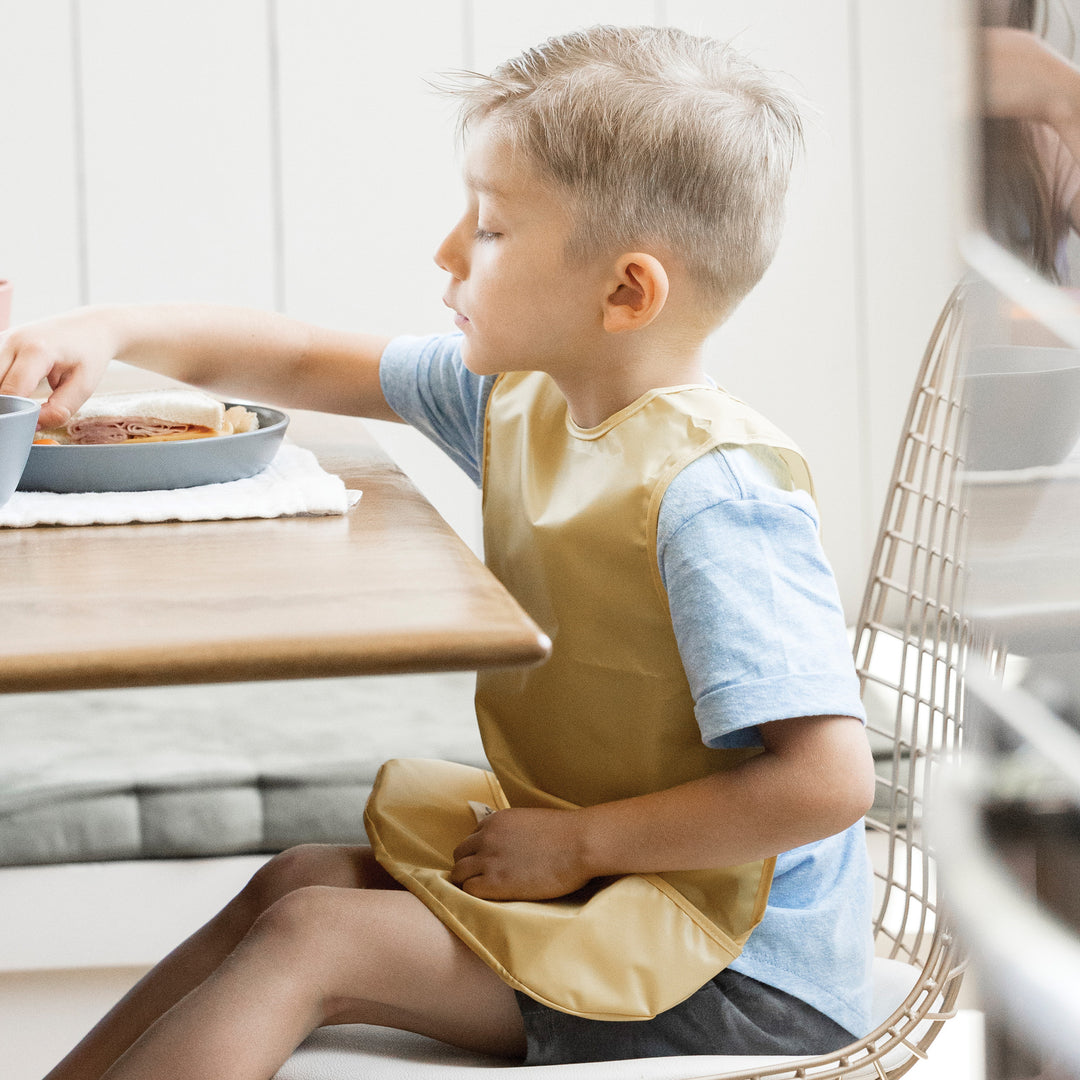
(815, 778)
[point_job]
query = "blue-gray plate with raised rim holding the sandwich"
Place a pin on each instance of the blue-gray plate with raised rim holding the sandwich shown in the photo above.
(151, 467)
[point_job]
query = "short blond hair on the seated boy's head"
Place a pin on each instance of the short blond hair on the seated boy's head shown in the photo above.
(657, 137)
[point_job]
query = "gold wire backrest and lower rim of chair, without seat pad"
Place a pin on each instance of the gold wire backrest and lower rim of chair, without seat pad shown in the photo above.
(912, 644)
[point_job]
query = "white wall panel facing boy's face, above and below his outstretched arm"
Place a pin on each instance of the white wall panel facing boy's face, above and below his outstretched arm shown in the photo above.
(371, 185)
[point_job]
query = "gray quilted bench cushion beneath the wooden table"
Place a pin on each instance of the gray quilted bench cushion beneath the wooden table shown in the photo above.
(191, 772)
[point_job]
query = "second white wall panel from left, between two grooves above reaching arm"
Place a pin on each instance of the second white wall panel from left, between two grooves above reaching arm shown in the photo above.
(179, 165)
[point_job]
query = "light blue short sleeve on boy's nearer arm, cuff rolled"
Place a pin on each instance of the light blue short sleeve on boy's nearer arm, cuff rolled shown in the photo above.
(754, 603)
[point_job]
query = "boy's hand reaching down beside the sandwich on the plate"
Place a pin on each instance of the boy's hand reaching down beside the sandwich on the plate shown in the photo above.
(71, 352)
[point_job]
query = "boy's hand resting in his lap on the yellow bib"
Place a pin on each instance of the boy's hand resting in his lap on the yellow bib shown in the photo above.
(522, 855)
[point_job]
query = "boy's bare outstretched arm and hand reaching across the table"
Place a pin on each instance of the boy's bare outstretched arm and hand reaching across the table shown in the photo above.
(242, 353)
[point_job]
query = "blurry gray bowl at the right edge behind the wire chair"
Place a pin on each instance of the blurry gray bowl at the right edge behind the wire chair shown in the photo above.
(1023, 407)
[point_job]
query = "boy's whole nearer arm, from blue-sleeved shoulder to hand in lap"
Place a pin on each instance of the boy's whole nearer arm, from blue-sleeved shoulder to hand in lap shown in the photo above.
(725, 529)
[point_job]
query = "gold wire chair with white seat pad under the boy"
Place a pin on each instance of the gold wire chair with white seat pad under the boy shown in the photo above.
(911, 649)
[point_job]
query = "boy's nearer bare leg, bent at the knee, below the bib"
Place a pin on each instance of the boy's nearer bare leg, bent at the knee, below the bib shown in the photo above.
(326, 955)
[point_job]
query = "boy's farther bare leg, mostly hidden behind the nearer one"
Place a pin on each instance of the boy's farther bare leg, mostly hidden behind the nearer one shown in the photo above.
(199, 956)
